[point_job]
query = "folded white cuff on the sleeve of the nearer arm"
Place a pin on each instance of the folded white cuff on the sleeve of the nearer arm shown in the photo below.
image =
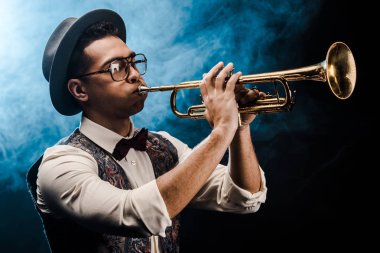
(151, 208)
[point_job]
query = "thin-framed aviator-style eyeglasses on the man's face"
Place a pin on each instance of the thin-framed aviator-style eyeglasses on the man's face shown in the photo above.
(120, 68)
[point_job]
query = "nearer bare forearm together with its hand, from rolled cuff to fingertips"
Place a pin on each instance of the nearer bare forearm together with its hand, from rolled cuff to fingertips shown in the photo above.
(179, 186)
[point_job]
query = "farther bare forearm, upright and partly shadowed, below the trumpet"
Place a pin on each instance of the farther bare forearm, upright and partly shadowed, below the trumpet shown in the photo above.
(244, 165)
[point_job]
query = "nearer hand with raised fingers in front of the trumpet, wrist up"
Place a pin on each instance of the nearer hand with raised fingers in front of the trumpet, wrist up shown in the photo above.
(219, 98)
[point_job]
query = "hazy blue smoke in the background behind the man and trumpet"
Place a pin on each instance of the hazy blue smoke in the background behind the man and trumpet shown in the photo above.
(181, 39)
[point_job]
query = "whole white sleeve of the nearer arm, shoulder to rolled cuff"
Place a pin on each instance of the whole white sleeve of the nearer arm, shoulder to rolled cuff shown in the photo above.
(68, 186)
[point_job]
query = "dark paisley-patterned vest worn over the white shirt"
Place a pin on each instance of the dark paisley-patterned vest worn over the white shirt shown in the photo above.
(67, 236)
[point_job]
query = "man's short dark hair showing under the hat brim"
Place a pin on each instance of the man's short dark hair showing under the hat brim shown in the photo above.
(79, 62)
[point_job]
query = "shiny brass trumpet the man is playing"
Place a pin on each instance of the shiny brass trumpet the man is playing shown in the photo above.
(338, 70)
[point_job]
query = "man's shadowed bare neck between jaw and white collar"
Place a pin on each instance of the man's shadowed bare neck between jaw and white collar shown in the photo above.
(121, 126)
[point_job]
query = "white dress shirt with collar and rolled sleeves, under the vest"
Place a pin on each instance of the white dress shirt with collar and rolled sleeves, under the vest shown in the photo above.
(68, 185)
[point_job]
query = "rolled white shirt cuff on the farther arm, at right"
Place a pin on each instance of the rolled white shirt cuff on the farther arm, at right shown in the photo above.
(235, 196)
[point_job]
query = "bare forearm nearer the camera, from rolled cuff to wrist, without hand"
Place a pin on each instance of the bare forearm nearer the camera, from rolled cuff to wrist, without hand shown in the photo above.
(181, 184)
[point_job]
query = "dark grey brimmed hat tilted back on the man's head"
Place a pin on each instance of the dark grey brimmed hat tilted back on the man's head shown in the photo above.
(58, 52)
